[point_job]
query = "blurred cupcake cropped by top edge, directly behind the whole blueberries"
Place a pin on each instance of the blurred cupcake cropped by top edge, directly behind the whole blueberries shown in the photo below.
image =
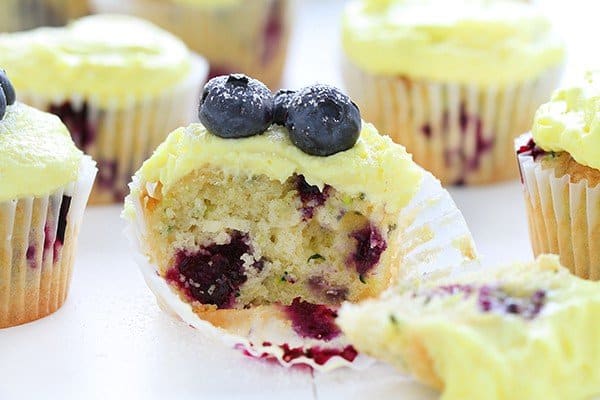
(250, 37)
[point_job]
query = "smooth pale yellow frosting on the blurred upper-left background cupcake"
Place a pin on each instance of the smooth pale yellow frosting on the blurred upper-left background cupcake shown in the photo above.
(109, 58)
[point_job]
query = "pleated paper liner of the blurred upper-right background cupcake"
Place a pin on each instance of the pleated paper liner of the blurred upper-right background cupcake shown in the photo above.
(463, 134)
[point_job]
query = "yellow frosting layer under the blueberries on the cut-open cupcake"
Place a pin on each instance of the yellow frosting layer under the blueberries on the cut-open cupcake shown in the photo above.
(375, 165)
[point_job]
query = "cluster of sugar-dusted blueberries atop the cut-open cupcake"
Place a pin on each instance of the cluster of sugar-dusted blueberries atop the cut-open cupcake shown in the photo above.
(321, 120)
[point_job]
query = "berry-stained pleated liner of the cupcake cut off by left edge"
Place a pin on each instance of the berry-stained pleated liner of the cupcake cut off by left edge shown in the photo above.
(38, 237)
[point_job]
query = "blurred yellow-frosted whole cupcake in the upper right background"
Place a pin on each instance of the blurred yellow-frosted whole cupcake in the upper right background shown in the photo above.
(455, 86)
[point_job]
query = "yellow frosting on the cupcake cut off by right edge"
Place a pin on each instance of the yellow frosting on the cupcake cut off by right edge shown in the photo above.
(571, 122)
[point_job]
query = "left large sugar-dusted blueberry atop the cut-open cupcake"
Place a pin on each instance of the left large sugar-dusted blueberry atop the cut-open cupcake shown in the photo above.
(235, 106)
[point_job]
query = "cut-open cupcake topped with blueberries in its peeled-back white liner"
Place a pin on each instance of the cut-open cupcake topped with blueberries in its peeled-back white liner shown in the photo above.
(273, 211)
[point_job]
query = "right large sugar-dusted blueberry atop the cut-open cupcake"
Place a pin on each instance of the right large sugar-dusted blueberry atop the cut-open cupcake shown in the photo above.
(323, 121)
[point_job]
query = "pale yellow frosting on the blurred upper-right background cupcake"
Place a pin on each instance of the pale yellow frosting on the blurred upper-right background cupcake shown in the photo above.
(481, 42)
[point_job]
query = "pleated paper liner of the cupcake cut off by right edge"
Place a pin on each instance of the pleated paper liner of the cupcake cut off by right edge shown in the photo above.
(564, 217)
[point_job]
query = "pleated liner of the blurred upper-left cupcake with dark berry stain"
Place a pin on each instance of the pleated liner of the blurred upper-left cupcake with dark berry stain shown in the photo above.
(121, 137)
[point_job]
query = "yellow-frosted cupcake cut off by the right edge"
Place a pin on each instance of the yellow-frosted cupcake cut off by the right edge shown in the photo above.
(560, 171)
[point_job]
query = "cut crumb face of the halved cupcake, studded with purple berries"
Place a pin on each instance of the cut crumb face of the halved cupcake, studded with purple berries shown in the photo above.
(231, 241)
